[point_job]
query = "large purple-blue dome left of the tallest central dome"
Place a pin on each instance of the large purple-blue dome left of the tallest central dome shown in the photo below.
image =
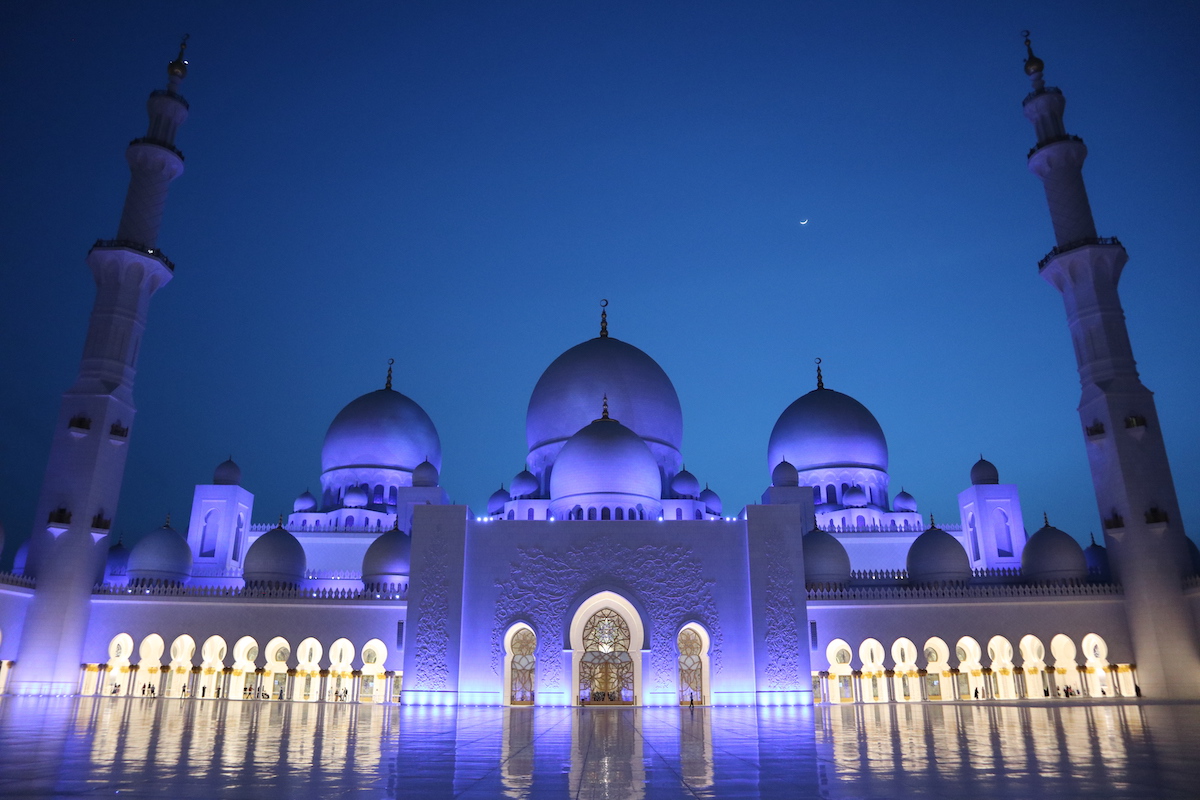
(382, 429)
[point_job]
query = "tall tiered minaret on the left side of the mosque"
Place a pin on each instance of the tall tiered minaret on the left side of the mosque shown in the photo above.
(87, 464)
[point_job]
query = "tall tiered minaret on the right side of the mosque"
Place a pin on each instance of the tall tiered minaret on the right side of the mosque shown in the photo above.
(1135, 490)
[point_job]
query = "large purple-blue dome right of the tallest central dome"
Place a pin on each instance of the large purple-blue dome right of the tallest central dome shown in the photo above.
(826, 430)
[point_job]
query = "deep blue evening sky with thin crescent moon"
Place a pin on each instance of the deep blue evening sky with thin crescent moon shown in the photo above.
(457, 185)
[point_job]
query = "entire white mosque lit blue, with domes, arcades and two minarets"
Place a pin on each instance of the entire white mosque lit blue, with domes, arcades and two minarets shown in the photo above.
(607, 574)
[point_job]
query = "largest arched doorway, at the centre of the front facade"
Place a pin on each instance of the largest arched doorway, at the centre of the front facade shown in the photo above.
(607, 639)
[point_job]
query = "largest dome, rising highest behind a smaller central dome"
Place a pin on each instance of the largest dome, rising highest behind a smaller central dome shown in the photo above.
(640, 395)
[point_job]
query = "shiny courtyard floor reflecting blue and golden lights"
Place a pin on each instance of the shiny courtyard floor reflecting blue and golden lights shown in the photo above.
(135, 748)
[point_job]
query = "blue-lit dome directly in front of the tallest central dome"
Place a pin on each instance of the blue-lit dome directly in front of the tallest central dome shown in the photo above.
(607, 459)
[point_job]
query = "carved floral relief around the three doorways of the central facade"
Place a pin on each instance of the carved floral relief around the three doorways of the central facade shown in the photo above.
(667, 579)
